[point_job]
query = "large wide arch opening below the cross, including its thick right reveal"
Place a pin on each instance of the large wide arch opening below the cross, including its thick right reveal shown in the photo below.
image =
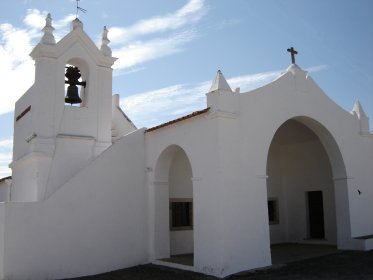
(306, 186)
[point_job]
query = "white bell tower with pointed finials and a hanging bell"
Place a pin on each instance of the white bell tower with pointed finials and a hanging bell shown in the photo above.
(64, 120)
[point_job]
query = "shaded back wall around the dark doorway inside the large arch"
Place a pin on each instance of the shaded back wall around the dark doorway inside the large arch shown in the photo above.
(312, 172)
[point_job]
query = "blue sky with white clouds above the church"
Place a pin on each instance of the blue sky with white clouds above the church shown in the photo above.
(169, 50)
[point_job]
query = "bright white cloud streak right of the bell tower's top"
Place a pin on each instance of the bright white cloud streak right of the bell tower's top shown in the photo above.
(170, 33)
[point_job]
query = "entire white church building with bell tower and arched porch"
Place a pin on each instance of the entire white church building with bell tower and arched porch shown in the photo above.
(91, 193)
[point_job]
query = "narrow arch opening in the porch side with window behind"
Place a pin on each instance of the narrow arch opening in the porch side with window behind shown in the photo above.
(174, 240)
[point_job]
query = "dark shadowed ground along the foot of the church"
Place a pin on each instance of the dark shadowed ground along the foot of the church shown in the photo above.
(343, 265)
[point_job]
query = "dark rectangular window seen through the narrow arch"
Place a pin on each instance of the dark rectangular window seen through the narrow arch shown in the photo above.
(181, 214)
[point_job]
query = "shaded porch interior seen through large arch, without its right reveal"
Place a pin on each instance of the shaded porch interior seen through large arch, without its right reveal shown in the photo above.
(300, 189)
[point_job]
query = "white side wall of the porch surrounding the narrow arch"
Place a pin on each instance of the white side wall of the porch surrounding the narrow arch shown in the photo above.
(195, 138)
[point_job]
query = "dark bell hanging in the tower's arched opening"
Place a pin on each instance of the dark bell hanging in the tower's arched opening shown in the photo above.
(73, 74)
